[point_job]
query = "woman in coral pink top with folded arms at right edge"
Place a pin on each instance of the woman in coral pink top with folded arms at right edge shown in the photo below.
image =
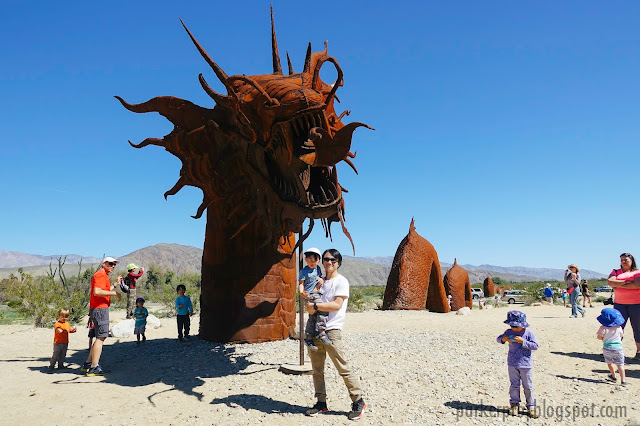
(626, 284)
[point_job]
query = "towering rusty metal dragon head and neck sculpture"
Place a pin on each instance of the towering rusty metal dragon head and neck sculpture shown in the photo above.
(265, 159)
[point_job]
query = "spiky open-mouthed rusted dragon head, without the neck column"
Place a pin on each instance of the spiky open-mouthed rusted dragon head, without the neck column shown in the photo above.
(268, 148)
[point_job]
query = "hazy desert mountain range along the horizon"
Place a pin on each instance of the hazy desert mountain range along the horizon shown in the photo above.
(361, 271)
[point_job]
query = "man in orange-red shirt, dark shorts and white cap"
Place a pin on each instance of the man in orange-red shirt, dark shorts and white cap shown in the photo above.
(101, 292)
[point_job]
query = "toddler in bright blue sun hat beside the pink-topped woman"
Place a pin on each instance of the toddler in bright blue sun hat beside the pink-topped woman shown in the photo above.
(611, 333)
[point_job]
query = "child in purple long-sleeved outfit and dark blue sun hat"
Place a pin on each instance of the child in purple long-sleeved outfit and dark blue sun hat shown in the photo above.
(520, 361)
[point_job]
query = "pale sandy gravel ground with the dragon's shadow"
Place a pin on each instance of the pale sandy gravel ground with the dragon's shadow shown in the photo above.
(416, 367)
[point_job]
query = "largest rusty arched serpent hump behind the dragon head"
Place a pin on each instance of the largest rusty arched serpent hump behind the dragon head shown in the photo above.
(415, 281)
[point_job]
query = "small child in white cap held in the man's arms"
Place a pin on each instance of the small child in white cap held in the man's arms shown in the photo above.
(310, 287)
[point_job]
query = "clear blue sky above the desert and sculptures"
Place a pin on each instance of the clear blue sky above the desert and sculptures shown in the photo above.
(506, 129)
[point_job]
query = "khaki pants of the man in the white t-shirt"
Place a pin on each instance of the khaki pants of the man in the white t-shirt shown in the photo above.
(336, 353)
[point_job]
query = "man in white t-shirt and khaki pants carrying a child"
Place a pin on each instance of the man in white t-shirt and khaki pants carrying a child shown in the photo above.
(334, 301)
